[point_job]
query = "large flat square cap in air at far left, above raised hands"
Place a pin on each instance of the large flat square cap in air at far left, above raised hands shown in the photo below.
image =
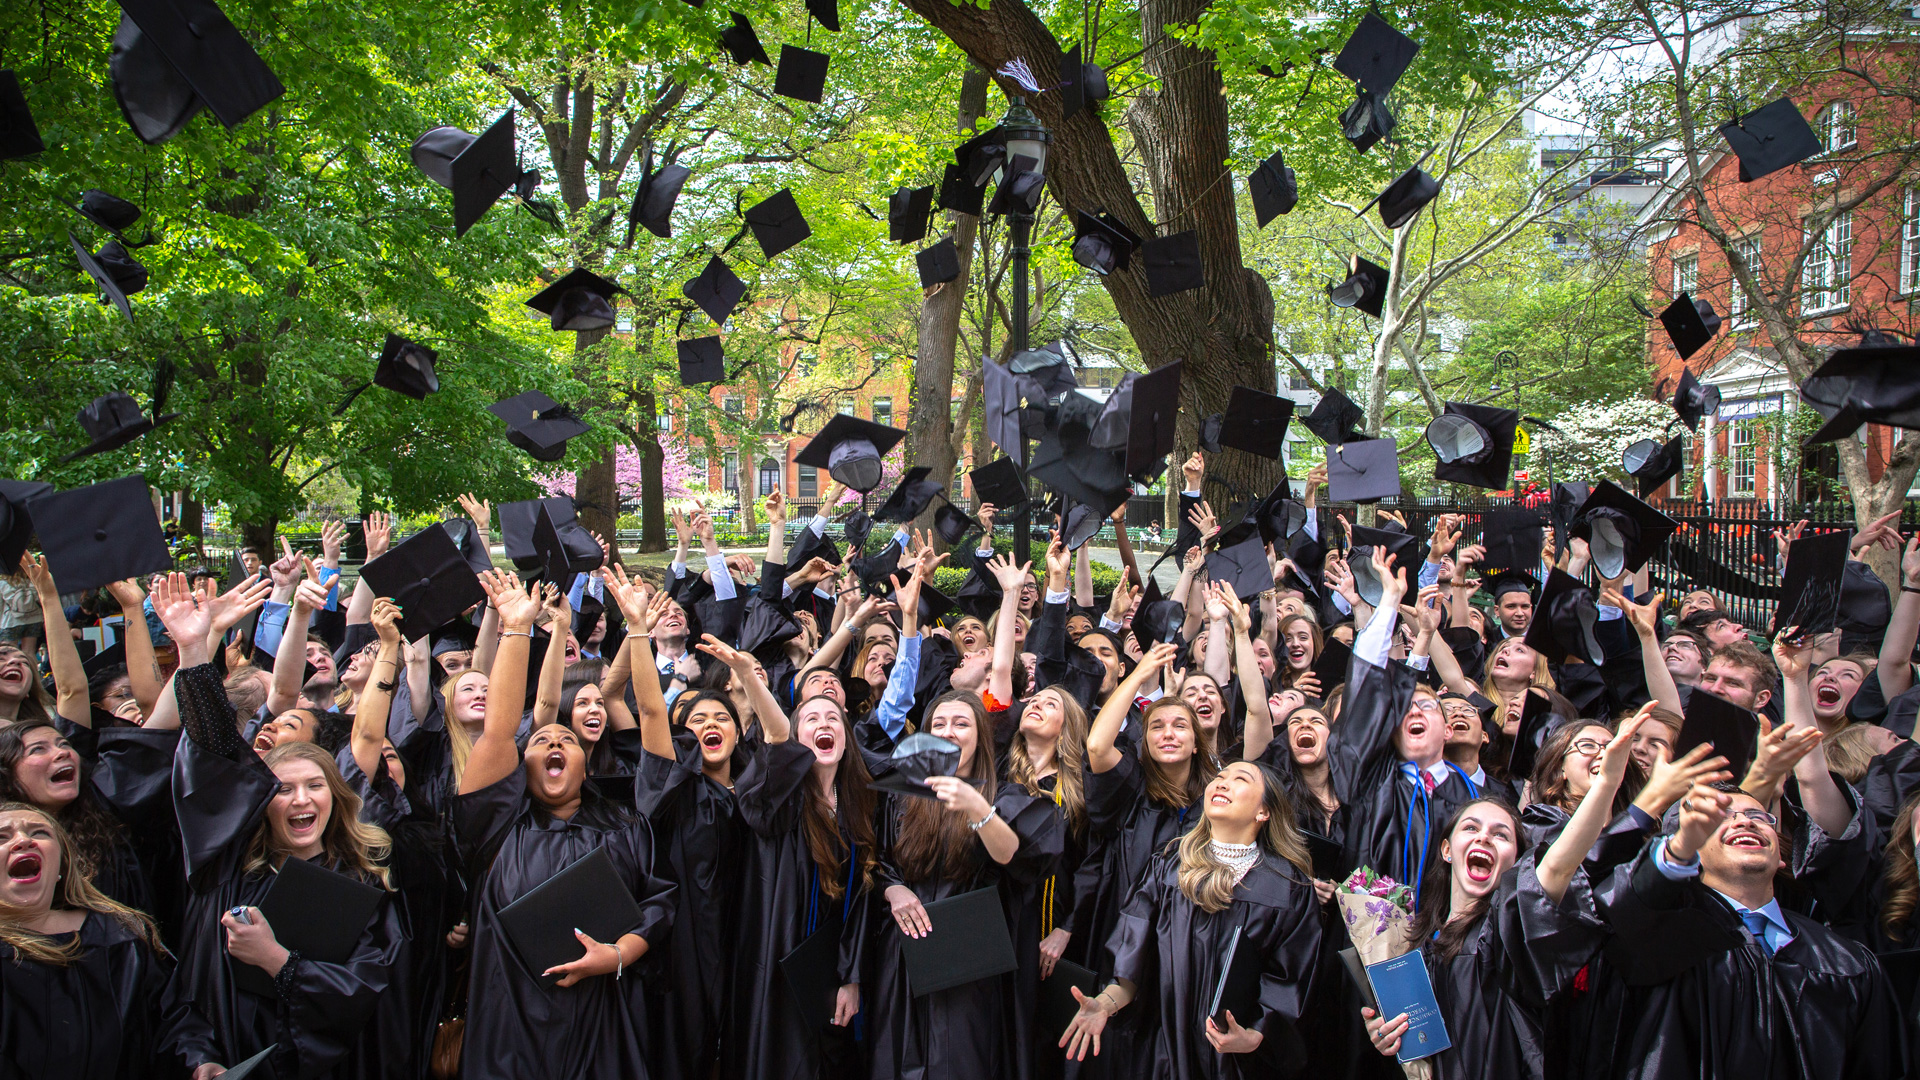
(99, 535)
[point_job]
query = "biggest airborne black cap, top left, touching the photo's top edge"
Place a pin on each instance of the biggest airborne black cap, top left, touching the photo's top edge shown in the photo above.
(174, 59)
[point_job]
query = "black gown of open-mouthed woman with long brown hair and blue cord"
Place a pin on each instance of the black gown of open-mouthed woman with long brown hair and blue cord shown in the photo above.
(780, 904)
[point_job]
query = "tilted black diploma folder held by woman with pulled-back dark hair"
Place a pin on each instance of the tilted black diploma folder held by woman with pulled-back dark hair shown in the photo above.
(588, 896)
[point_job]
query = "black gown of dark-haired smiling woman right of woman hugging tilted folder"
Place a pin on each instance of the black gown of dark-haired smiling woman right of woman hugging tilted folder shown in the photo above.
(698, 825)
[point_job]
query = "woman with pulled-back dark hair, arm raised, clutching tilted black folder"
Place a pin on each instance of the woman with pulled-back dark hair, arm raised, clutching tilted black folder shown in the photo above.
(523, 818)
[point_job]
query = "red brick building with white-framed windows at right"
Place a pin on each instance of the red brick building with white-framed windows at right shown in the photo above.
(1863, 268)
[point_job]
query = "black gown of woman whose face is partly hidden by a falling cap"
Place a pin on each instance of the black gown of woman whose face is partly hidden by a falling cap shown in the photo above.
(965, 1033)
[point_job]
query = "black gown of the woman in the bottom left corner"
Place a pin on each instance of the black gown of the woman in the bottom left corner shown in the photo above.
(99, 1018)
